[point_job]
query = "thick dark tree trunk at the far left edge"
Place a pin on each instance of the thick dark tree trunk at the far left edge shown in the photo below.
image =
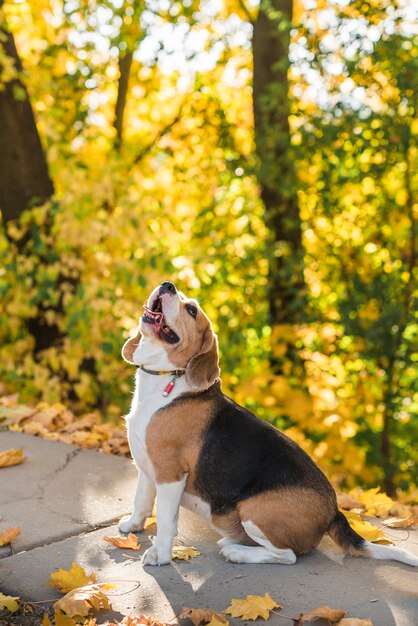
(24, 178)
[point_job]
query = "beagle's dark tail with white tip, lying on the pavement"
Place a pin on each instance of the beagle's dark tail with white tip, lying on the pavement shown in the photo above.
(342, 533)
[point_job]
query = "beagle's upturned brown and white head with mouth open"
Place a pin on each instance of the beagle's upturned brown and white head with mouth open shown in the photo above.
(174, 330)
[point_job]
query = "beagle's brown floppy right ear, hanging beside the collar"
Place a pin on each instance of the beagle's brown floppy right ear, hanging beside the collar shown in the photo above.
(203, 369)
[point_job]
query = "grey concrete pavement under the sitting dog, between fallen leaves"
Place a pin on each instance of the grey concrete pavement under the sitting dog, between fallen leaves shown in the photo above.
(66, 499)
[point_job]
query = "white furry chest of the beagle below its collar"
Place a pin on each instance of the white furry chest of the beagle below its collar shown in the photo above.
(148, 398)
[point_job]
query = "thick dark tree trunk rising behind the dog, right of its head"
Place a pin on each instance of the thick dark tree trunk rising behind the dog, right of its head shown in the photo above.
(276, 174)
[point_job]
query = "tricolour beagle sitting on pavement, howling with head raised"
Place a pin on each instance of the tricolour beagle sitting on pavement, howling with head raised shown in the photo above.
(196, 447)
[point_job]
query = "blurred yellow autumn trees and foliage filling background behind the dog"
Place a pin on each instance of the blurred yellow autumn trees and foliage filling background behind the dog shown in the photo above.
(262, 156)
